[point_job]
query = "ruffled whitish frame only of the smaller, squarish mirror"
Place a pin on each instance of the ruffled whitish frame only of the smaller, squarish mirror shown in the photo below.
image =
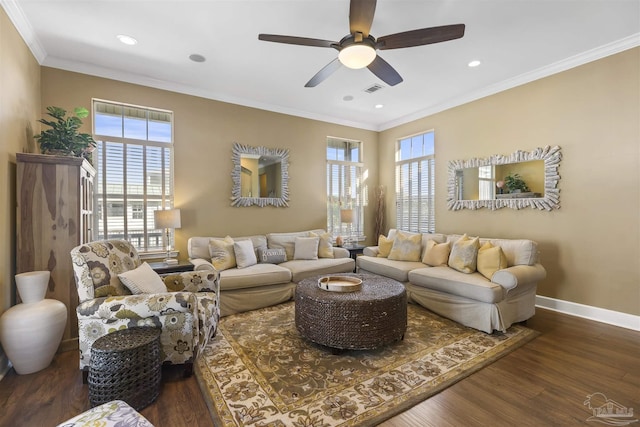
(236, 198)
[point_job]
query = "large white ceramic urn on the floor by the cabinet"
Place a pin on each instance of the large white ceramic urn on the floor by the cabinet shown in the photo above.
(30, 332)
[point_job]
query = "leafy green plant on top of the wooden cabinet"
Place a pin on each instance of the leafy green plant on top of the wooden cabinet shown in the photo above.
(63, 138)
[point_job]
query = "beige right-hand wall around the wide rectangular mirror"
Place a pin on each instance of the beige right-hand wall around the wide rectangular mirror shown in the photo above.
(591, 245)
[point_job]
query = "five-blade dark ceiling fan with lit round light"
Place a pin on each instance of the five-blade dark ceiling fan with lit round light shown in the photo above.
(358, 48)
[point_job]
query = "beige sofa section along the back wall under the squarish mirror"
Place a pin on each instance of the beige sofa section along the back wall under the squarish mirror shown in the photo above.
(268, 283)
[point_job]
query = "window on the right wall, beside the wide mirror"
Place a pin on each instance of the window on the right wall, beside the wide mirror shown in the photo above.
(415, 188)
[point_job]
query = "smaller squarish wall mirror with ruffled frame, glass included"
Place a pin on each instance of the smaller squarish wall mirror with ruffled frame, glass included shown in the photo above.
(260, 176)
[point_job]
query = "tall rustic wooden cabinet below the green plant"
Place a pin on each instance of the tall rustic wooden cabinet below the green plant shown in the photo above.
(55, 214)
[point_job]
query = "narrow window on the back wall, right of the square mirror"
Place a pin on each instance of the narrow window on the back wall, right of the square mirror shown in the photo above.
(345, 187)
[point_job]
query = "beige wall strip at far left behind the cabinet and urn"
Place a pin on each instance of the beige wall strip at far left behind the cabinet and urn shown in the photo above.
(19, 110)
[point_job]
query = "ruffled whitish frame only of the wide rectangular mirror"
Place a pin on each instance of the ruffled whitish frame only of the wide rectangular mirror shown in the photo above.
(551, 199)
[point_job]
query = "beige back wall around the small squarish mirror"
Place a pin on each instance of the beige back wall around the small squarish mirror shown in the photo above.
(204, 133)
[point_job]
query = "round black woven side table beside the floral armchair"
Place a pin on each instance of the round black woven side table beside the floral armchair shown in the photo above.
(125, 365)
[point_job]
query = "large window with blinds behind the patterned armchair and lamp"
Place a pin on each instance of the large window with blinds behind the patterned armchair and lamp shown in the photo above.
(134, 163)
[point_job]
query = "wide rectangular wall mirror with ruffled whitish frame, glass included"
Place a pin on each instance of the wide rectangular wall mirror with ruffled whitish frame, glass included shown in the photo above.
(479, 182)
